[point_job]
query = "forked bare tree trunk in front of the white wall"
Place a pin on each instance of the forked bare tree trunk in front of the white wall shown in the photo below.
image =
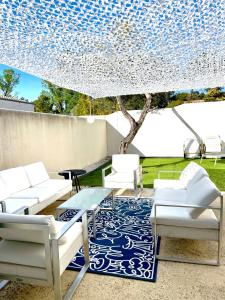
(134, 125)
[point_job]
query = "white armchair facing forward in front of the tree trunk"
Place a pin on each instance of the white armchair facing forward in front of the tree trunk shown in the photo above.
(126, 173)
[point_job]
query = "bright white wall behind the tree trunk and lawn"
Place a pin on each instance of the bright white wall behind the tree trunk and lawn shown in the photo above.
(164, 131)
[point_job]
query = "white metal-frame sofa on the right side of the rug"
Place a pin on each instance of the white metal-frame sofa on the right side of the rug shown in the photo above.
(189, 212)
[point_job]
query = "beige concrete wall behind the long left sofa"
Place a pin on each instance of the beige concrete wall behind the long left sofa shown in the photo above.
(59, 141)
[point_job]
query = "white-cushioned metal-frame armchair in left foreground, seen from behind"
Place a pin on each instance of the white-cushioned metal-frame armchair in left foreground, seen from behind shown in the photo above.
(37, 249)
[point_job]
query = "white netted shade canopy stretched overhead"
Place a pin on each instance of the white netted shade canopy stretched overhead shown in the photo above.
(116, 47)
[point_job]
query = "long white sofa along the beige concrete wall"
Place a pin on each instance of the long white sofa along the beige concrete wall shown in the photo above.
(30, 186)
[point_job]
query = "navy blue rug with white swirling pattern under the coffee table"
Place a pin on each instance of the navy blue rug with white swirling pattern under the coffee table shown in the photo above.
(124, 245)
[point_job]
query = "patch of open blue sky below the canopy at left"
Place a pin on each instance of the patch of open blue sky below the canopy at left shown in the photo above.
(29, 86)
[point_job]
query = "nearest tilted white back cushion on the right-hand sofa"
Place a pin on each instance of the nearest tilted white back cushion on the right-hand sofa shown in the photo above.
(202, 193)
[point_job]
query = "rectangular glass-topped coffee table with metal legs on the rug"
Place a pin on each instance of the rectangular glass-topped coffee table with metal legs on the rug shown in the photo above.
(88, 199)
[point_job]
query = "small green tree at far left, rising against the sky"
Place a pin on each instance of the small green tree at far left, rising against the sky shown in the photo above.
(8, 81)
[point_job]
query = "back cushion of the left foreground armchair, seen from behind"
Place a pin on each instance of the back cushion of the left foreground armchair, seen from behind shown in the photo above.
(26, 235)
